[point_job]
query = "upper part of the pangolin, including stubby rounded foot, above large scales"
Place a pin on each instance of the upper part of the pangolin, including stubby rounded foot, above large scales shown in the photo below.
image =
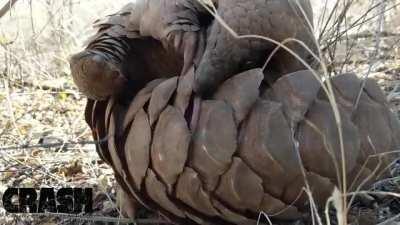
(161, 38)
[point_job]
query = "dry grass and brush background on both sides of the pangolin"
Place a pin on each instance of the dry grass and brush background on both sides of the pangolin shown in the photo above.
(40, 105)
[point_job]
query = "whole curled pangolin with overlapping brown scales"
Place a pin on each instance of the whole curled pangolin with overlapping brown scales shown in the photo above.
(249, 145)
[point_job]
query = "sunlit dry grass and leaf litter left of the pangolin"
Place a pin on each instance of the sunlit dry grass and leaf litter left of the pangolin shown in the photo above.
(38, 101)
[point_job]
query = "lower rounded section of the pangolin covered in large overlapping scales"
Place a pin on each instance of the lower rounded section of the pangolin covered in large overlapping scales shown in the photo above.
(249, 148)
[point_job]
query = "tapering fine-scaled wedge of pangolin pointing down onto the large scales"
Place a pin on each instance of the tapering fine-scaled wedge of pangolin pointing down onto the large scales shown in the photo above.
(279, 20)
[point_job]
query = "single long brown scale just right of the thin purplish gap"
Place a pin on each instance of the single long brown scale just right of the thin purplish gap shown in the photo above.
(214, 142)
